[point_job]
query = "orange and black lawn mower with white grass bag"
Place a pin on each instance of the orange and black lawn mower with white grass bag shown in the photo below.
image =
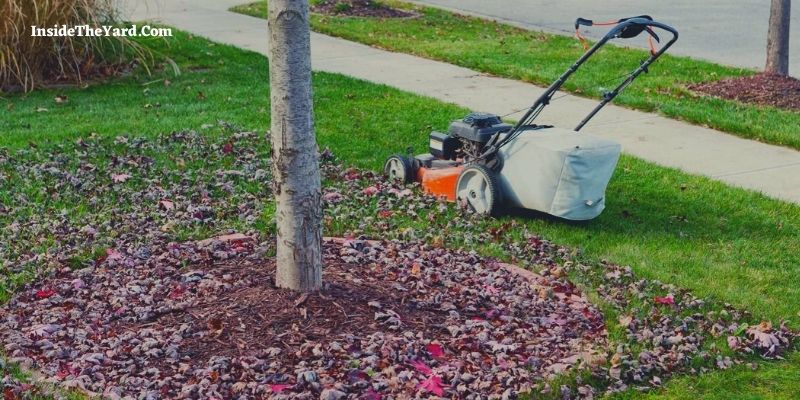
(484, 164)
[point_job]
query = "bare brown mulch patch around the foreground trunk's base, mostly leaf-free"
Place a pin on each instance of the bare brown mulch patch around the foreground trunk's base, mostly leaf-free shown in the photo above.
(260, 315)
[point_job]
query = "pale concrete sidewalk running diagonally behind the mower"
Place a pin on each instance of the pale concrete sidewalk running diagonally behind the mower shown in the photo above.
(773, 170)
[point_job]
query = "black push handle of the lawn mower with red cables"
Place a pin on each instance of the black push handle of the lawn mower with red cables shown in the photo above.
(624, 28)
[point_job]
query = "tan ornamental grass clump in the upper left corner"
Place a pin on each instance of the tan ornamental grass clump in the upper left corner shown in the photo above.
(28, 61)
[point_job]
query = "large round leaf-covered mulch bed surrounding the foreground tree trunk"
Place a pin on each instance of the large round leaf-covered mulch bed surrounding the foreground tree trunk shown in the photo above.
(394, 319)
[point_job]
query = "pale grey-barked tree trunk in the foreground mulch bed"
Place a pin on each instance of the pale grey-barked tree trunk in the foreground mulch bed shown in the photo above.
(295, 163)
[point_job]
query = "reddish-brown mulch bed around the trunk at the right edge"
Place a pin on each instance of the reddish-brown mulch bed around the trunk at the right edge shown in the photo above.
(762, 89)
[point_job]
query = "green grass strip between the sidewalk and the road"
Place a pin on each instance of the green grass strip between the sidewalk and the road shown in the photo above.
(540, 58)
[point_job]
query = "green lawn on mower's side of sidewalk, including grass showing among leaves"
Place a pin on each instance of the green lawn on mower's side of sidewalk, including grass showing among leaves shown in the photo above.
(720, 242)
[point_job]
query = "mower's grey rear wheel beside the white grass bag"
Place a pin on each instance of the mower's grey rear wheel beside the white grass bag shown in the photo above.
(478, 189)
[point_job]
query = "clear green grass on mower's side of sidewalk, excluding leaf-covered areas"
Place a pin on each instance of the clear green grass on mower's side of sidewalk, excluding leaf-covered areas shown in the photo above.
(727, 243)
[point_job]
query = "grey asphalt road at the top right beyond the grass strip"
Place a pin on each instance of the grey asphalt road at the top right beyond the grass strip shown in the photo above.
(732, 32)
